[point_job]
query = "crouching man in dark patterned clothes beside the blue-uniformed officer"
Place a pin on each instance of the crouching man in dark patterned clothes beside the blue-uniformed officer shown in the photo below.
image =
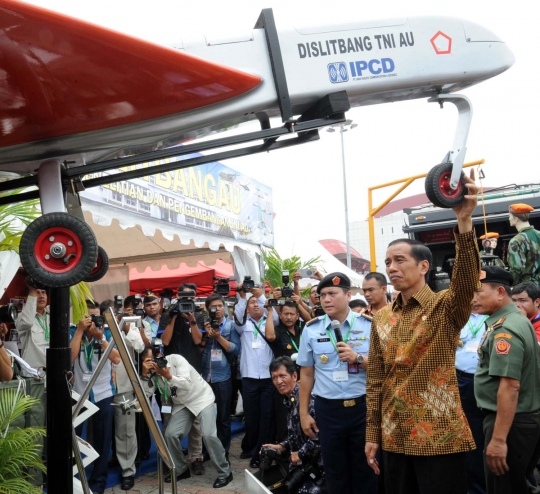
(306, 473)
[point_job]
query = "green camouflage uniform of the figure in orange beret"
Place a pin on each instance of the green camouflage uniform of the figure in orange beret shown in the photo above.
(524, 256)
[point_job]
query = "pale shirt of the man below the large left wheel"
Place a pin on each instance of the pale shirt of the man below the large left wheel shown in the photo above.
(32, 333)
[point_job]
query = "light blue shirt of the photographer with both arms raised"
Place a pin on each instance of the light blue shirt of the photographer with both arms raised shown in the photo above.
(256, 355)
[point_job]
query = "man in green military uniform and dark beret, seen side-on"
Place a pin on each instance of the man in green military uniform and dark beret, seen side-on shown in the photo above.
(507, 386)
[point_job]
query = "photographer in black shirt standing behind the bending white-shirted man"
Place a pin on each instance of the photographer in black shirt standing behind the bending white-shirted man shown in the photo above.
(181, 335)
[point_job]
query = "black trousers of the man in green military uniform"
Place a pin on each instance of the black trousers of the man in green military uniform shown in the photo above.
(523, 443)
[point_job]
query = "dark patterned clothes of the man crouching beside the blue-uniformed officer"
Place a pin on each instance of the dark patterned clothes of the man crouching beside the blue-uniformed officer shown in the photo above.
(309, 450)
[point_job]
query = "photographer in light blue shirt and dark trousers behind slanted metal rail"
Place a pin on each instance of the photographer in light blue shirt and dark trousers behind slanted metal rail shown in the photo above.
(89, 339)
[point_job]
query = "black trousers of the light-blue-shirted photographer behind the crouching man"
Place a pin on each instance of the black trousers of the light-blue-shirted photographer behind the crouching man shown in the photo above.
(258, 408)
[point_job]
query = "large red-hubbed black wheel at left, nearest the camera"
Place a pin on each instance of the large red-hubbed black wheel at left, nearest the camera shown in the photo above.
(58, 250)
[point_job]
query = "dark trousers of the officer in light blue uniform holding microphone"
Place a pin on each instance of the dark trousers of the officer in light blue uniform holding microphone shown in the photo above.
(342, 434)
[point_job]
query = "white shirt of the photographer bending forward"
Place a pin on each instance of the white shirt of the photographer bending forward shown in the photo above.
(192, 391)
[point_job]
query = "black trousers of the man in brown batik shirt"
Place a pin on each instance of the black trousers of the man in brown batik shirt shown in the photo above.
(438, 474)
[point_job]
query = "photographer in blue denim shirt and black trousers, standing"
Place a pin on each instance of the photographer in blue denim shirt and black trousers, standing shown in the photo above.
(222, 346)
